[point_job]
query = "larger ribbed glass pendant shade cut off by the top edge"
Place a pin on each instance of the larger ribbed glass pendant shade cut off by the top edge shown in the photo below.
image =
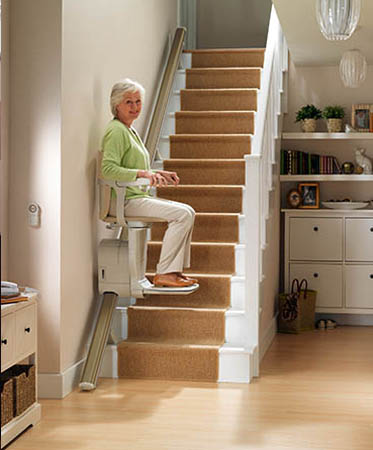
(337, 18)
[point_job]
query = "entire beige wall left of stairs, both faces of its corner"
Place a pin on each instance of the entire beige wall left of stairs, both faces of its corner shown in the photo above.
(65, 56)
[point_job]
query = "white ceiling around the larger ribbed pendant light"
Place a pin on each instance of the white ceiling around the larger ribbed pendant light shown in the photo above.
(307, 45)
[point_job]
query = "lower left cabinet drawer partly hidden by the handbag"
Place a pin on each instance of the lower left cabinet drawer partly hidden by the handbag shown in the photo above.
(323, 278)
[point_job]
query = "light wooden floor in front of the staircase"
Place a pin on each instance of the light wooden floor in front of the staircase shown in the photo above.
(315, 392)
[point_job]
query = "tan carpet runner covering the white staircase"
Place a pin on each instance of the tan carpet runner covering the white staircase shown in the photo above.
(178, 337)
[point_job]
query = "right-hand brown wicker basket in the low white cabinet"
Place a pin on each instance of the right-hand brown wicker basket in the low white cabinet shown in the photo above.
(24, 387)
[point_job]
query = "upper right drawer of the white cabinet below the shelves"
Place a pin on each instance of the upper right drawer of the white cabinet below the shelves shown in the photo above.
(359, 239)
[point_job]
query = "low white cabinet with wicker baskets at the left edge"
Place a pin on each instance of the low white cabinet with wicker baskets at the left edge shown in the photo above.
(18, 344)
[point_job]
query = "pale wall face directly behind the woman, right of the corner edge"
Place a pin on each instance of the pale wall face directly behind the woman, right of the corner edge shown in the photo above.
(102, 42)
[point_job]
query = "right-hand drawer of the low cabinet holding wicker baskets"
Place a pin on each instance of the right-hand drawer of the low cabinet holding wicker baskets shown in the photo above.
(25, 331)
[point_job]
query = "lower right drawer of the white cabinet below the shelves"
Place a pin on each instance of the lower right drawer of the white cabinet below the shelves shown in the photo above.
(359, 286)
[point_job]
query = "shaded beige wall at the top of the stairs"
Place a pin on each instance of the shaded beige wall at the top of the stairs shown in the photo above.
(233, 23)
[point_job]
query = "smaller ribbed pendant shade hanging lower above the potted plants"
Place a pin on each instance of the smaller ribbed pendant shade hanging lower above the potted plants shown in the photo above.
(353, 68)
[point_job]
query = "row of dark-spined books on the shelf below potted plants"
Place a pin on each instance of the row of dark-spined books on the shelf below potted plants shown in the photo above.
(297, 162)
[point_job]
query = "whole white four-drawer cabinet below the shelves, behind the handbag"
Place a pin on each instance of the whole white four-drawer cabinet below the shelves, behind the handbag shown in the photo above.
(333, 250)
